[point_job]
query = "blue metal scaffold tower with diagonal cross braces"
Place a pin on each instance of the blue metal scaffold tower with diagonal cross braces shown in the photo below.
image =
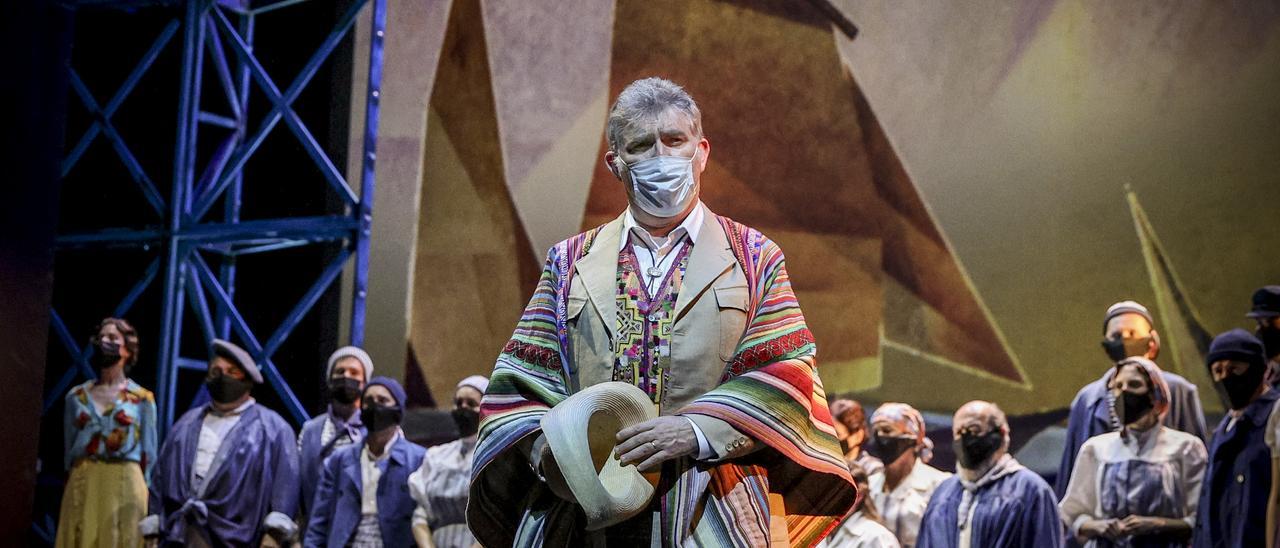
(202, 214)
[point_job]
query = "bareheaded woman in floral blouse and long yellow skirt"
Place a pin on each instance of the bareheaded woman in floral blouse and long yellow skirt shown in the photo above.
(111, 433)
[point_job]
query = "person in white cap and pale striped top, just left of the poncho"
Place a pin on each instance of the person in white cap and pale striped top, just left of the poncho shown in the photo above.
(442, 485)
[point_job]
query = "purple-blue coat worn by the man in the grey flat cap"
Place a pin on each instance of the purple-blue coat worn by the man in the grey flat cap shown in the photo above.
(255, 473)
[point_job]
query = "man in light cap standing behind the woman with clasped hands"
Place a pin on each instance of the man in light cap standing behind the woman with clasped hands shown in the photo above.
(1128, 331)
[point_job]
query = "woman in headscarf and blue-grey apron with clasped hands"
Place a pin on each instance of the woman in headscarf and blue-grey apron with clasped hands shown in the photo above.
(1139, 487)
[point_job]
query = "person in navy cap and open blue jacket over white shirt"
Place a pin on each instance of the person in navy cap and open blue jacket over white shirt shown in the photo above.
(362, 500)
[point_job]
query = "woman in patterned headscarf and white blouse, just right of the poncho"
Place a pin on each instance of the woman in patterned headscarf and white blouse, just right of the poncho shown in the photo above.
(903, 491)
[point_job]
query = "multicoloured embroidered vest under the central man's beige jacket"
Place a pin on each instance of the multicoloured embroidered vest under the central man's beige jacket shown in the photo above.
(642, 351)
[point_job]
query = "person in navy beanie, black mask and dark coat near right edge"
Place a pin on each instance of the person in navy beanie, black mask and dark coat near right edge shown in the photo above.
(1237, 506)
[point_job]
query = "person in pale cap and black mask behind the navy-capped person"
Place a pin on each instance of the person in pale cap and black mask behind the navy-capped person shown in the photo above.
(348, 372)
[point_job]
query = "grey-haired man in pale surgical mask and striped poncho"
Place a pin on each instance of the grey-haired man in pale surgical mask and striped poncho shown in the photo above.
(698, 312)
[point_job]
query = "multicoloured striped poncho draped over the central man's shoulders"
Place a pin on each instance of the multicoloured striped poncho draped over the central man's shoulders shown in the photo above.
(770, 391)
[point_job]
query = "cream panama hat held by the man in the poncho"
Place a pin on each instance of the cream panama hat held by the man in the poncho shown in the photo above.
(582, 432)
